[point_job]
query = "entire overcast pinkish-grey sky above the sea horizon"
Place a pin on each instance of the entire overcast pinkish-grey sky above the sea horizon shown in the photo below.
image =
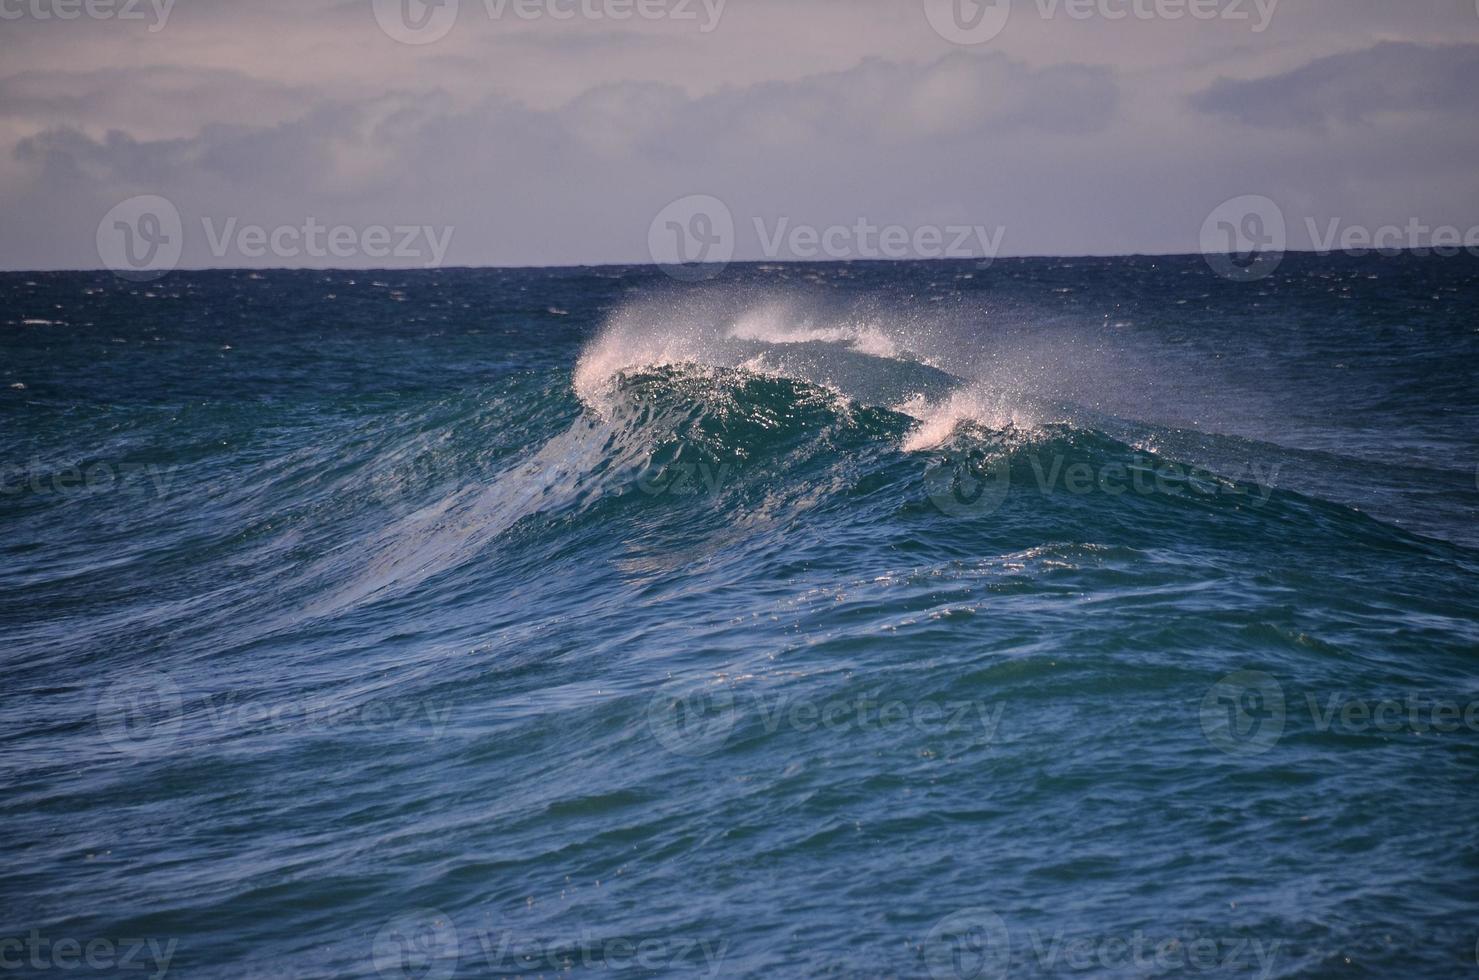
(538, 138)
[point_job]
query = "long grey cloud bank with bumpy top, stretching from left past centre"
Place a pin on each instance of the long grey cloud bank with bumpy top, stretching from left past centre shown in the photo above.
(838, 146)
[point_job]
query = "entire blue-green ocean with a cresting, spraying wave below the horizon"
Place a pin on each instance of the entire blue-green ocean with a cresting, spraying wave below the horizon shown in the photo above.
(860, 619)
